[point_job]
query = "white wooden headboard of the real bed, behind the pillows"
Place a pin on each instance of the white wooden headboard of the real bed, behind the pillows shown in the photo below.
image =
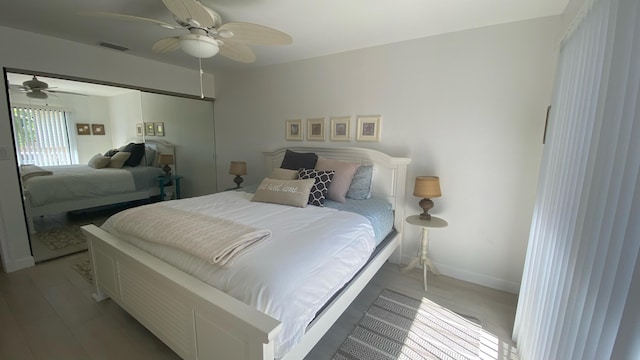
(389, 172)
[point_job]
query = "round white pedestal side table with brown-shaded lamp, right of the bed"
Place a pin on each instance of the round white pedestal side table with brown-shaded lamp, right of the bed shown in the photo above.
(426, 187)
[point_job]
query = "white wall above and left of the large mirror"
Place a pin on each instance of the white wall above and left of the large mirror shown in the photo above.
(23, 50)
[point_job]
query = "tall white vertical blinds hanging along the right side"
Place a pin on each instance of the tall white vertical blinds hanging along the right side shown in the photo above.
(584, 239)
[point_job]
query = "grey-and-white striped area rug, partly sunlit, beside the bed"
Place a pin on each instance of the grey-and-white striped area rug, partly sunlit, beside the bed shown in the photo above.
(400, 327)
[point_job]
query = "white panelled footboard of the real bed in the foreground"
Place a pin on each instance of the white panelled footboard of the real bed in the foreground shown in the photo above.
(194, 319)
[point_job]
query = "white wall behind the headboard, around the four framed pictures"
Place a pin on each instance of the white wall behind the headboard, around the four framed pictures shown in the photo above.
(469, 107)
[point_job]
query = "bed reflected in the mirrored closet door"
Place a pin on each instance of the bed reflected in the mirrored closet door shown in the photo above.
(56, 189)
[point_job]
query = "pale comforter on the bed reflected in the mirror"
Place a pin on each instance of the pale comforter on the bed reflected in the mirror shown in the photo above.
(72, 182)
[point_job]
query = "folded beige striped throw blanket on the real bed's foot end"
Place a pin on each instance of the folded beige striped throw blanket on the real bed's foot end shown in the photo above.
(216, 240)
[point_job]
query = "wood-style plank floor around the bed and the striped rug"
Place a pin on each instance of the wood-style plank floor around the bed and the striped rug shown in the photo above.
(46, 312)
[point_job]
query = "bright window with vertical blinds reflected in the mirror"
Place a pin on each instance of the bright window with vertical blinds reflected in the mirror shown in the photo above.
(41, 135)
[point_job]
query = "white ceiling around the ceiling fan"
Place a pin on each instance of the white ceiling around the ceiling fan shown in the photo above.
(318, 27)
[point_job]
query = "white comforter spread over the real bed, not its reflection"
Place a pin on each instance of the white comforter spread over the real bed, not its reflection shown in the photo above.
(313, 252)
